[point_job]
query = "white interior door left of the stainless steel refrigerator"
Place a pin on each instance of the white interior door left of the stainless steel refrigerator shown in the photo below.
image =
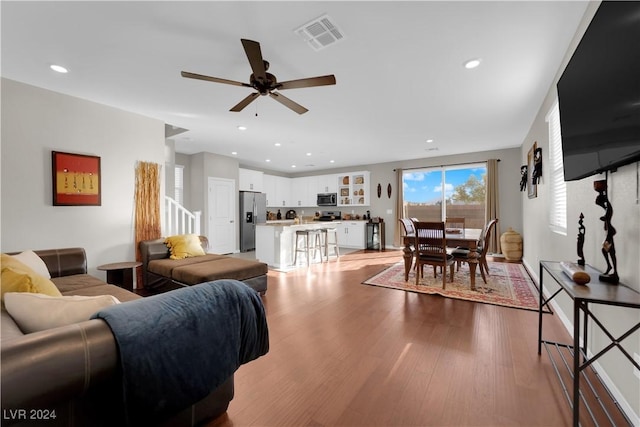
(221, 204)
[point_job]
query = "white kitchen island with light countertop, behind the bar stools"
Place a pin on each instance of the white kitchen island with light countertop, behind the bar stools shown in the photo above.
(276, 241)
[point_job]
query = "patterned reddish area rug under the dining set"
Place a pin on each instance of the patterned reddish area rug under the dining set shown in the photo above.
(508, 285)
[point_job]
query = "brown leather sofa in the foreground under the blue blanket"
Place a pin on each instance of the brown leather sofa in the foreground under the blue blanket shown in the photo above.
(72, 372)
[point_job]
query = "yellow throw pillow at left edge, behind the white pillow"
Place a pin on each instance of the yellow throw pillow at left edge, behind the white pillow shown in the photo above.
(17, 277)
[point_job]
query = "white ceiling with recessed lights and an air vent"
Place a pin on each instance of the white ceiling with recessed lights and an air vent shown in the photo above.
(400, 79)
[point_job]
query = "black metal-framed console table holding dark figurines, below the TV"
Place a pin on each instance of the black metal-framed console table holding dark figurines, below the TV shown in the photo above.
(594, 292)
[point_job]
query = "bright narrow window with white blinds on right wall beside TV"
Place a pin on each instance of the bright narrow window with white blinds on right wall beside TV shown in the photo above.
(558, 193)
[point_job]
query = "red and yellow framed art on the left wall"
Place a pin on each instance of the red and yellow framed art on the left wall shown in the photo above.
(76, 179)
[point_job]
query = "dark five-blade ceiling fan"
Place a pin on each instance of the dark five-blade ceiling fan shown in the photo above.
(265, 83)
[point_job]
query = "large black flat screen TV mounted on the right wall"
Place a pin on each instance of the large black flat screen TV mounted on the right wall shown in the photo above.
(599, 94)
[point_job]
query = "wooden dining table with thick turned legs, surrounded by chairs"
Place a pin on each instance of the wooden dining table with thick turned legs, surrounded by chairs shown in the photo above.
(467, 238)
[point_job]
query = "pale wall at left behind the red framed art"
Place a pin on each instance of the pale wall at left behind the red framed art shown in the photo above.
(35, 122)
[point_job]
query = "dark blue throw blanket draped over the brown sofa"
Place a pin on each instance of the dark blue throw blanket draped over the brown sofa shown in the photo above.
(177, 347)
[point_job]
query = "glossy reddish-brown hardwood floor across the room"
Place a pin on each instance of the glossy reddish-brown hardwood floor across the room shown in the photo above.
(347, 354)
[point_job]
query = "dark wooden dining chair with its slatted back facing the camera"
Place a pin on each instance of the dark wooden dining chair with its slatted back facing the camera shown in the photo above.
(431, 249)
